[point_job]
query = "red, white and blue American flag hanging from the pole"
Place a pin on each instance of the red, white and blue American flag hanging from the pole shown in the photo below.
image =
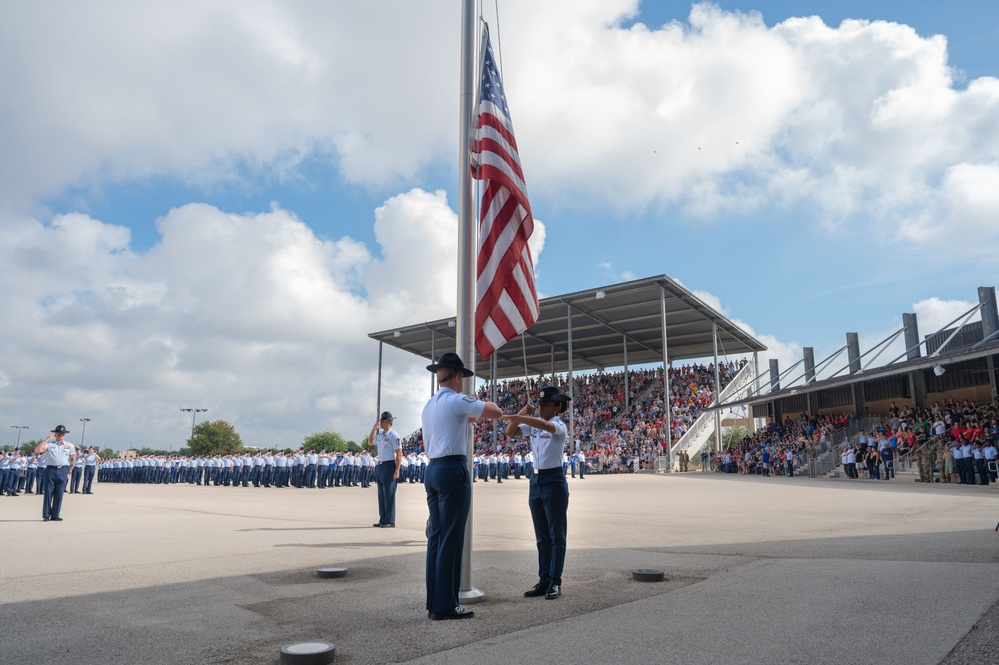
(506, 299)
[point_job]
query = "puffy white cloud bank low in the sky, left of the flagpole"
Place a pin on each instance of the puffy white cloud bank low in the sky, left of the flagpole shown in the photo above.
(252, 316)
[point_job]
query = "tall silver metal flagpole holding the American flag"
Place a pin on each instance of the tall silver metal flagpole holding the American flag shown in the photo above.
(464, 336)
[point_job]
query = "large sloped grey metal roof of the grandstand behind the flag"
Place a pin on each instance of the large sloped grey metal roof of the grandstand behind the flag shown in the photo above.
(602, 320)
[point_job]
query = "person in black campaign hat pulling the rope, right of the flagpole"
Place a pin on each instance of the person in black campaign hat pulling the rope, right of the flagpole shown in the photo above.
(548, 496)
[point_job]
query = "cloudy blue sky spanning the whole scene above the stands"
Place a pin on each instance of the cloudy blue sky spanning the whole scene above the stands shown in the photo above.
(211, 205)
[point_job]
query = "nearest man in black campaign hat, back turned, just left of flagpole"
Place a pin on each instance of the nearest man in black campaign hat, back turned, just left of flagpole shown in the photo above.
(448, 483)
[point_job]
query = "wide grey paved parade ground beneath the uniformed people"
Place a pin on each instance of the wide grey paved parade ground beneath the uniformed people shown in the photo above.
(758, 570)
